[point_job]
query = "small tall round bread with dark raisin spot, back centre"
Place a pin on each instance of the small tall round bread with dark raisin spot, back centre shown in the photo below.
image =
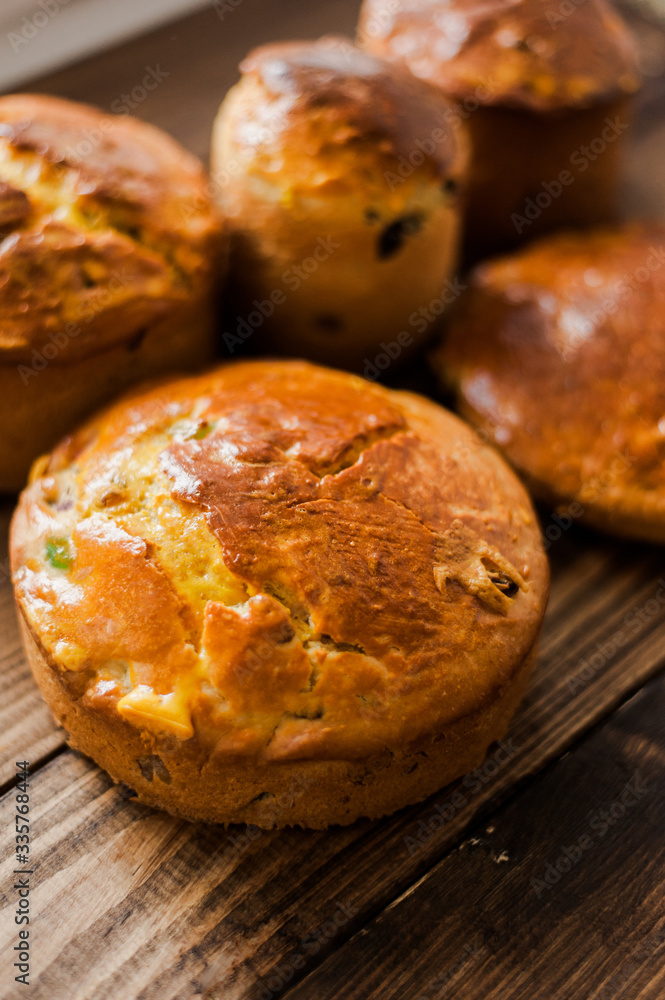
(341, 181)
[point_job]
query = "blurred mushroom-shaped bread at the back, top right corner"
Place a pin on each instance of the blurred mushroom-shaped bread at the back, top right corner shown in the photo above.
(544, 93)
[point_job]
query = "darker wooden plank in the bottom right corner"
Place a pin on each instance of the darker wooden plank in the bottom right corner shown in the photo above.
(560, 896)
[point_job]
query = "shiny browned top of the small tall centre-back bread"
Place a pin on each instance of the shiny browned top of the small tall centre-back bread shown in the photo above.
(323, 118)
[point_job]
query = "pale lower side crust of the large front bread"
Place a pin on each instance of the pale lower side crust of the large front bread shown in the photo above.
(312, 794)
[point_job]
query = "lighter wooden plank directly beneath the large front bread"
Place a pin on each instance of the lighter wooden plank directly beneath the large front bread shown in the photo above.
(132, 903)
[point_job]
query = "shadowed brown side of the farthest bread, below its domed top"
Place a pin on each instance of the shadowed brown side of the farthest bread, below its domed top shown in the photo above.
(530, 174)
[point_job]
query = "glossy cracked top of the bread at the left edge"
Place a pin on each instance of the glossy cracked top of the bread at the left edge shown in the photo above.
(105, 224)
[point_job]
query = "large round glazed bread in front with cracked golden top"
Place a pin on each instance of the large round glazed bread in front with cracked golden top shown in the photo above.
(278, 594)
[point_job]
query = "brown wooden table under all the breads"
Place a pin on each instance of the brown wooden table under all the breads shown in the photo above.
(542, 875)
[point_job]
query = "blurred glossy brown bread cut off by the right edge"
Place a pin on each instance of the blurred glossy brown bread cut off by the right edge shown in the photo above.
(558, 354)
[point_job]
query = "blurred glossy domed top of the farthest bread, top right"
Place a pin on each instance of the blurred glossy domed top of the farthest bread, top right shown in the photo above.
(522, 53)
